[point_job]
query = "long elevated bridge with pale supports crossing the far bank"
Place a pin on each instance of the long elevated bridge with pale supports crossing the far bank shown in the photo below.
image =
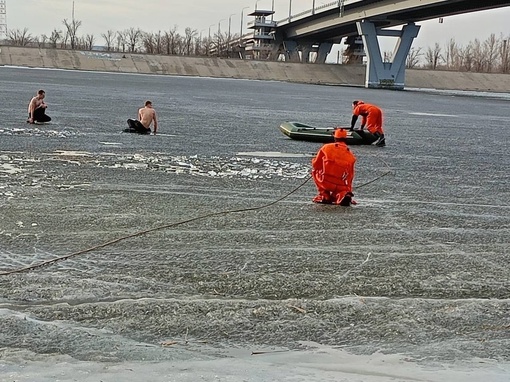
(315, 31)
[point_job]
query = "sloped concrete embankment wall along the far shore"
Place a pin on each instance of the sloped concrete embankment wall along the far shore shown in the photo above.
(353, 75)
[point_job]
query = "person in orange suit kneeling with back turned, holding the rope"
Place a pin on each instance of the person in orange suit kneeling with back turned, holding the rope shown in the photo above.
(333, 172)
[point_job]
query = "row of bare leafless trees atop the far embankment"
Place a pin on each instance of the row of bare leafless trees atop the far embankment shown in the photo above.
(491, 55)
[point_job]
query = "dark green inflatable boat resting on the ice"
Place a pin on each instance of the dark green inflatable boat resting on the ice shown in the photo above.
(302, 132)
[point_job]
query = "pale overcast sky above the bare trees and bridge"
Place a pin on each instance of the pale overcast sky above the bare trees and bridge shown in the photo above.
(98, 16)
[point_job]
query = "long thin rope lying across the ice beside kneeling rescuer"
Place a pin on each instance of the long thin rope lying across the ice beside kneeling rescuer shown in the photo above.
(165, 226)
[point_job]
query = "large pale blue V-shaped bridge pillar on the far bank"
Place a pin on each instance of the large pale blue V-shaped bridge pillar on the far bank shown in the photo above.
(388, 75)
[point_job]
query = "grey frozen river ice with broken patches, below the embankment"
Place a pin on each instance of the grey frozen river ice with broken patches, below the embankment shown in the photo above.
(410, 284)
